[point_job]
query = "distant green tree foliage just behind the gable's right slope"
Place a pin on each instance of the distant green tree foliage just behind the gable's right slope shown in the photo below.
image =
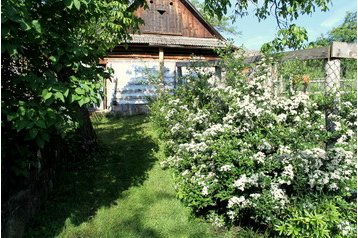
(222, 24)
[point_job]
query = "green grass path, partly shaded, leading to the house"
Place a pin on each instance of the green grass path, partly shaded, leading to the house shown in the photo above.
(123, 193)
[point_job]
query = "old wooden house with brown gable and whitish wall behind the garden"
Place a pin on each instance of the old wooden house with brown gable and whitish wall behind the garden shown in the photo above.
(173, 31)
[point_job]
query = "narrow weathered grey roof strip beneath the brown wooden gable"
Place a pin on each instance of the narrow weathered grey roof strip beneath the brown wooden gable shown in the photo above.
(177, 41)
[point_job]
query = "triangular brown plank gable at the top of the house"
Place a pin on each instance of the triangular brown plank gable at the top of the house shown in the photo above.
(175, 17)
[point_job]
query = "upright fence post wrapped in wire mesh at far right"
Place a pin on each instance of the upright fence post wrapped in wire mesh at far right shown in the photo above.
(332, 87)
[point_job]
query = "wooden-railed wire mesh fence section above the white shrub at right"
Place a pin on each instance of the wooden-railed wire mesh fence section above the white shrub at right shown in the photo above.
(331, 69)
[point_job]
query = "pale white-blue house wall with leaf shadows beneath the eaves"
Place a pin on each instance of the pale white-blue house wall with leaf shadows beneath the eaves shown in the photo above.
(130, 85)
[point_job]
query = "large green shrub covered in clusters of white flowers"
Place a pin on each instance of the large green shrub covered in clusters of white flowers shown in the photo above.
(241, 152)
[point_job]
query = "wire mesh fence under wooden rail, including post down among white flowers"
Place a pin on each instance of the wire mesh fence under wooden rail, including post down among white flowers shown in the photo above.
(330, 77)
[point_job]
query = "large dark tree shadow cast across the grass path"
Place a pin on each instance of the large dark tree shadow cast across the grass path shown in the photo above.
(123, 162)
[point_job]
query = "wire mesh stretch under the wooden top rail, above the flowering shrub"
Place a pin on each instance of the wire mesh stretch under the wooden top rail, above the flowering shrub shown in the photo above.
(318, 76)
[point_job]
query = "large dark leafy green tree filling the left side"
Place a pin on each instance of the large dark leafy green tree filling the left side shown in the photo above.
(50, 52)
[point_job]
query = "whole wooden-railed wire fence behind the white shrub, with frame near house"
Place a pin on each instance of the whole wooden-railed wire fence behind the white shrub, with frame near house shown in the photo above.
(331, 69)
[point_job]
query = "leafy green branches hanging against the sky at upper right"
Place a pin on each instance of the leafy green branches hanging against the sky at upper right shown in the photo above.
(289, 35)
